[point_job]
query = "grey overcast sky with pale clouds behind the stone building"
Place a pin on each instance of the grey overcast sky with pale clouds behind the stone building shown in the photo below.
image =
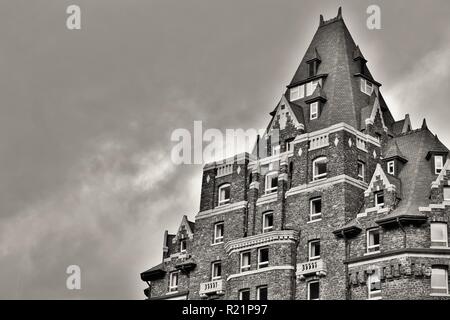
(86, 117)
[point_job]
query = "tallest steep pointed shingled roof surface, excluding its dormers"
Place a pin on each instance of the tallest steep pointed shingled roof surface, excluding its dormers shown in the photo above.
(336, 47)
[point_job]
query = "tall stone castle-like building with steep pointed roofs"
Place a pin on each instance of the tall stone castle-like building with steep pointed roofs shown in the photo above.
(338, 201)
